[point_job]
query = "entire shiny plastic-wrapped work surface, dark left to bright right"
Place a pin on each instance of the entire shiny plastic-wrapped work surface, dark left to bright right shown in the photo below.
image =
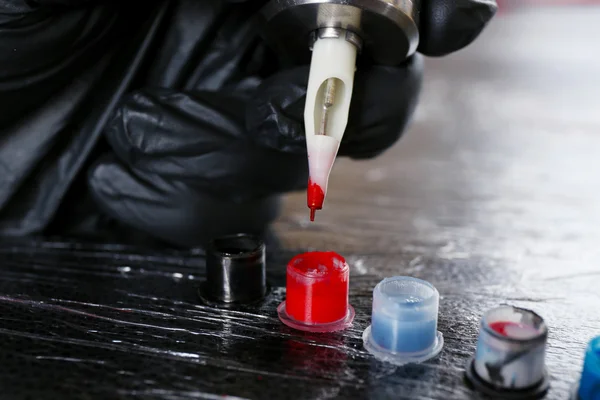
(492, 196)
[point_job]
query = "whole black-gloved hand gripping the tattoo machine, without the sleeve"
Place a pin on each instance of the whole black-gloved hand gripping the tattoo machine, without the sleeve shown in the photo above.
(217, 133)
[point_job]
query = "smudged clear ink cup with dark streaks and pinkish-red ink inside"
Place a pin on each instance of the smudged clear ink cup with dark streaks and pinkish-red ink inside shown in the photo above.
(510, 355)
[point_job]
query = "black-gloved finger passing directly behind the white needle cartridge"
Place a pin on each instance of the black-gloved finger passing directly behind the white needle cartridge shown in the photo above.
(383, 102)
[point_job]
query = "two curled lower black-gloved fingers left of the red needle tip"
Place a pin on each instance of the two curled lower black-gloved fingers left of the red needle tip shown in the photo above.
(185, 170)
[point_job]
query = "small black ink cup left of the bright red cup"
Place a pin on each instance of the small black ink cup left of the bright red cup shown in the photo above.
(235, 270)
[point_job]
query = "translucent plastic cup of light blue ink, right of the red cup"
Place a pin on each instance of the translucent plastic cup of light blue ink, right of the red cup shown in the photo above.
(404, 321)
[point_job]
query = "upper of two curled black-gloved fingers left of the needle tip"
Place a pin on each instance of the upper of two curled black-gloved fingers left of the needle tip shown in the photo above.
(200, 139)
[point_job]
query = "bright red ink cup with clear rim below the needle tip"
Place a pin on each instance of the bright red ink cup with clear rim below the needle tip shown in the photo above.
(317, 293)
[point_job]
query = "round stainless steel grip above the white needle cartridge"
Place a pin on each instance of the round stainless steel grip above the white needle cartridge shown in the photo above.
(388, 29)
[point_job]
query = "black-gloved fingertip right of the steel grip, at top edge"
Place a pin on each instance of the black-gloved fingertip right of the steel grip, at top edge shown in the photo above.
(447, 26)
